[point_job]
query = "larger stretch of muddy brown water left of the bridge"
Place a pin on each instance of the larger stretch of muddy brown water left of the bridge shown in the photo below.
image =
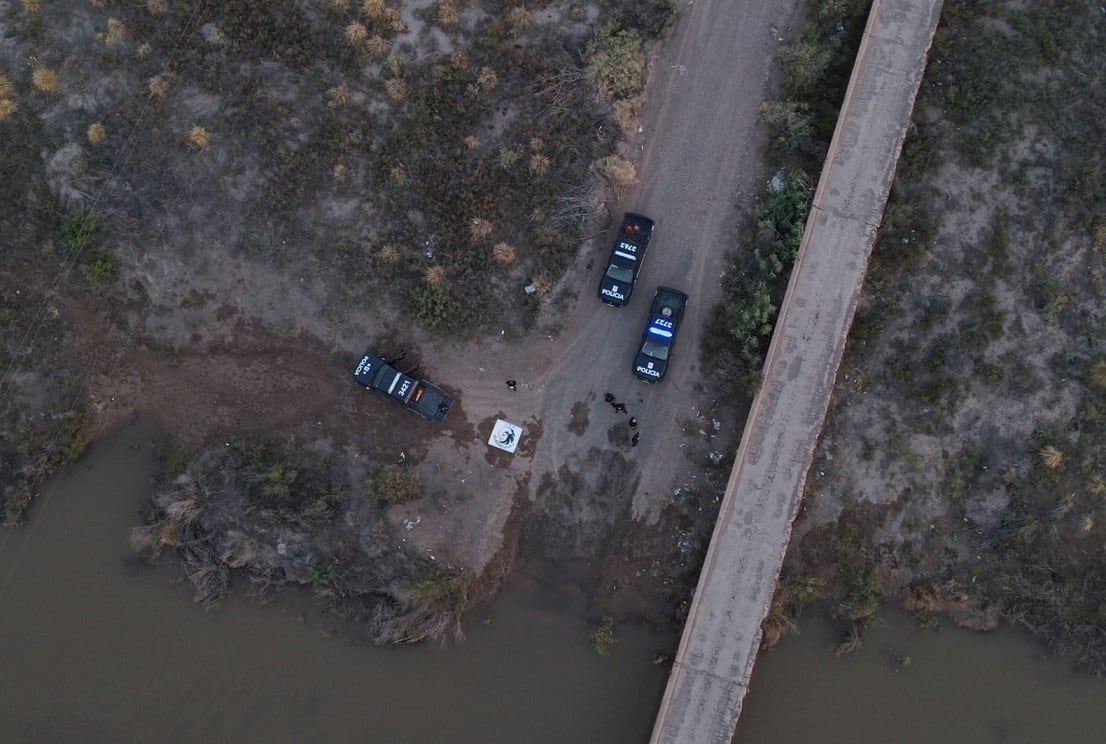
(96, 647)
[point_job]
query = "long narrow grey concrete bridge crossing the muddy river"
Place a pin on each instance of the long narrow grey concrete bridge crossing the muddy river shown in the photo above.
(716, 657)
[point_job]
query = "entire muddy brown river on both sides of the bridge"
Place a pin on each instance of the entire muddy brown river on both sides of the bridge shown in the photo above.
(96, 647)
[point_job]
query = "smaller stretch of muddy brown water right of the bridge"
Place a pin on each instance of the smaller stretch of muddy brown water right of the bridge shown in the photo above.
(959, 687)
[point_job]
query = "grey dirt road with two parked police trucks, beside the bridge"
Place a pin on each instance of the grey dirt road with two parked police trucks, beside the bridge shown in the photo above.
(698, 160)
